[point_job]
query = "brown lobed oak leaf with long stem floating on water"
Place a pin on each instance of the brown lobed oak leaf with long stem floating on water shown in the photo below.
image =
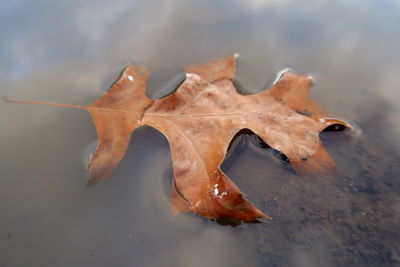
(200, 120)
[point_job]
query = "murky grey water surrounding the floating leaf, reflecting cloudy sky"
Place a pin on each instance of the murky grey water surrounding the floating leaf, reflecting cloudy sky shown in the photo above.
(70, 52)
